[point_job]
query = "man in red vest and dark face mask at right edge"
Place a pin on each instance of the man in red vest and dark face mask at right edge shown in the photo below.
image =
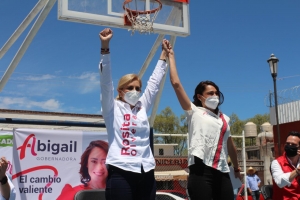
(286, 170)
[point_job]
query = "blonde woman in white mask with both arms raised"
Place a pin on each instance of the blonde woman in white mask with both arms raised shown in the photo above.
(130, 160)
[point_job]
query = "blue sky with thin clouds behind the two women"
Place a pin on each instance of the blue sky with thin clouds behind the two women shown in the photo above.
(229, 44)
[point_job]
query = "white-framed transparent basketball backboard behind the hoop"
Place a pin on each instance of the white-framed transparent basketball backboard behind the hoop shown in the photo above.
(172, 19)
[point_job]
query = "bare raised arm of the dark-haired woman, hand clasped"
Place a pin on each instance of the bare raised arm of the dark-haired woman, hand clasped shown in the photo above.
(175, 81)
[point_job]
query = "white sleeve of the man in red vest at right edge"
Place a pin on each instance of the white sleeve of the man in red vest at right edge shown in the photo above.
(280, 178)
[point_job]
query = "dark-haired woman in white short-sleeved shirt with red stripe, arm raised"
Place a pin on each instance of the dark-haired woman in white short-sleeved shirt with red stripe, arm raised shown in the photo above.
(209, 139)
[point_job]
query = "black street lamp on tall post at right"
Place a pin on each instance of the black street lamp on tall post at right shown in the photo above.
(273, 67)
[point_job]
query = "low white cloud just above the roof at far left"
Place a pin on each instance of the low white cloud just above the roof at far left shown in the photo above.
(23, 102)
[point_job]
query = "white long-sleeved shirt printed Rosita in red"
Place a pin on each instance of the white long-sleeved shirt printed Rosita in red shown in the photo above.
(128, 130)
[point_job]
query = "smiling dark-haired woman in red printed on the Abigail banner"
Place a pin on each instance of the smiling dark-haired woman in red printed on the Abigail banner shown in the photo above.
(93, 170)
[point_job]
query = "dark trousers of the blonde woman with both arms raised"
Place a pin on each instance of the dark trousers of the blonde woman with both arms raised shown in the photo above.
(126, 185)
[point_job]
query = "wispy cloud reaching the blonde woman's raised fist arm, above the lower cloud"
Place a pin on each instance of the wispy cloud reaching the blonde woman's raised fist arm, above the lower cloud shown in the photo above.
(50, 86)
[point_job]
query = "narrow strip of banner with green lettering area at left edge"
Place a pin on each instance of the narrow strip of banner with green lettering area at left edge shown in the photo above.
(6, 147)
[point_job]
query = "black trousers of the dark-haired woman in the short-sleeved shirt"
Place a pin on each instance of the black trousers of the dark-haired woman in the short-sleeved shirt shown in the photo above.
(207, 183)
